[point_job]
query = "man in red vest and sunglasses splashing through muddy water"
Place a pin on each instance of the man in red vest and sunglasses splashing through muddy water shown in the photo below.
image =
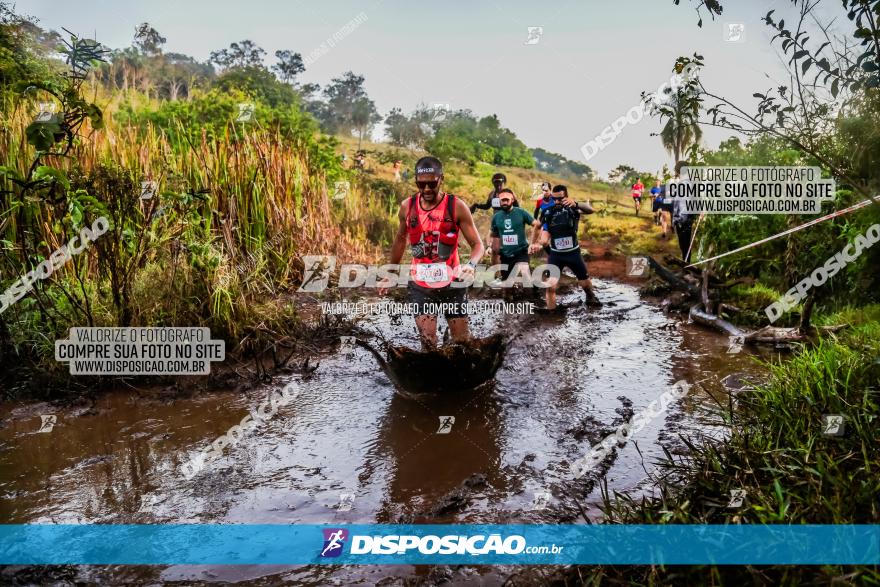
(431, 221)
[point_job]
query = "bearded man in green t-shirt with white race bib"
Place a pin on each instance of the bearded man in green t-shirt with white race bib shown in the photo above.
(510, 245)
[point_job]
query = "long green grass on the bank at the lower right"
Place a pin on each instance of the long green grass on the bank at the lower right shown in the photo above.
(777, 452)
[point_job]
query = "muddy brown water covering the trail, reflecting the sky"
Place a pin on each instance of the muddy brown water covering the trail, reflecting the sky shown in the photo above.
(349, 449)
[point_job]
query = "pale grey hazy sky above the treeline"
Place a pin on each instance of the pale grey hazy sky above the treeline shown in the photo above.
(588, 67)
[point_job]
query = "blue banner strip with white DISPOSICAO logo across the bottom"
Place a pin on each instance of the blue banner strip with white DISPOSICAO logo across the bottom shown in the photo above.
(241, 544)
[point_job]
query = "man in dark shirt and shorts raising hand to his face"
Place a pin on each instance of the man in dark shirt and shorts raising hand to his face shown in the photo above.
(560, 228)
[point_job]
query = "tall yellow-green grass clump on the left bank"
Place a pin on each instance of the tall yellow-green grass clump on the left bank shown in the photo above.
(235, 210)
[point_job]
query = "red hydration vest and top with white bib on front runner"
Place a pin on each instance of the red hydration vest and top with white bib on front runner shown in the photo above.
(433, 240)
